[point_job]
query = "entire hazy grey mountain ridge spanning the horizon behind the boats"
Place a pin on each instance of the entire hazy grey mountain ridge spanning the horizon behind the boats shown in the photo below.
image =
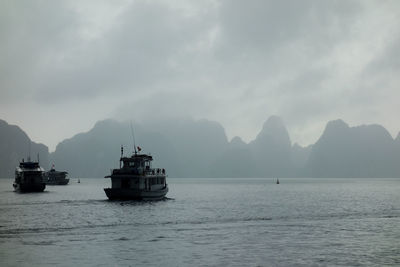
(189, 148)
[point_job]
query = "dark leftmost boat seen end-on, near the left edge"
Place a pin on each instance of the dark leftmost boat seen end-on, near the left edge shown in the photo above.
(29, 177)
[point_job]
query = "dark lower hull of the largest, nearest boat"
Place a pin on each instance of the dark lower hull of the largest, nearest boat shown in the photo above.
(133, 194)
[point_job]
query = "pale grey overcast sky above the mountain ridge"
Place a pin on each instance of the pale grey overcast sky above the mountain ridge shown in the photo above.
(66, 64)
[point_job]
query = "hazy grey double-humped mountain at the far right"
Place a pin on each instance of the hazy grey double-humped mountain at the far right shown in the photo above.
(362, 151)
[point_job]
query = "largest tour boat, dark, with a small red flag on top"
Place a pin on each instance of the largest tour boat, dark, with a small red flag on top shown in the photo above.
(135, 179)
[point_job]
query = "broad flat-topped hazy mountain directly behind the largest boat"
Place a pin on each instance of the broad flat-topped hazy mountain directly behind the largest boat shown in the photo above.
(185, 148)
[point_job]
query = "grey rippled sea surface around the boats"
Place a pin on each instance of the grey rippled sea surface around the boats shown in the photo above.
(205, 222)
